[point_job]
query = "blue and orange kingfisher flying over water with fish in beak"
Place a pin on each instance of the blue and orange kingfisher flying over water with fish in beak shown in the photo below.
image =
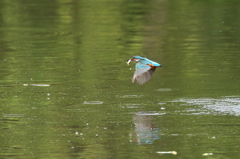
(144, 69)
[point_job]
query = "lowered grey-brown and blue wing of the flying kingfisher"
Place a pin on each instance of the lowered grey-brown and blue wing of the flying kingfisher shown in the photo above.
(142, 74)
